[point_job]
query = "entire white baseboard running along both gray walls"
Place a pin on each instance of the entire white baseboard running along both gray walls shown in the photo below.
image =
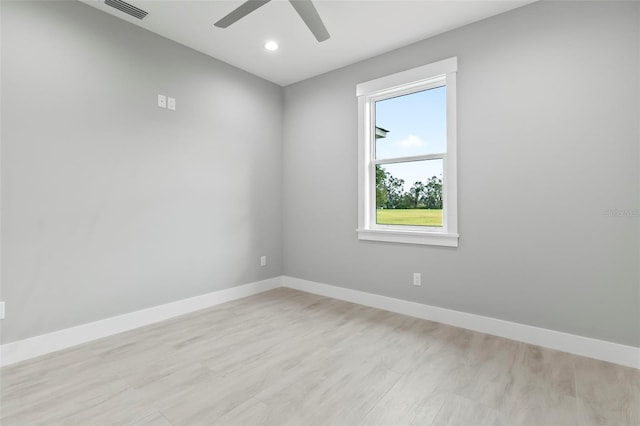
(40, 345)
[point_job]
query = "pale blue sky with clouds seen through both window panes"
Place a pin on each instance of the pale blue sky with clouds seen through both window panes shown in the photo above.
(416, 125)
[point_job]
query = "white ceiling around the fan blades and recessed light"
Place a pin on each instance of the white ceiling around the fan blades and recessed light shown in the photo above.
(359, 29)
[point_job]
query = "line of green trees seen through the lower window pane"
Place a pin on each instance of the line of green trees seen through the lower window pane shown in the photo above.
(390, 193)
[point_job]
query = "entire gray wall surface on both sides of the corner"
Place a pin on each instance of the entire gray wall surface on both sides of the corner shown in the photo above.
(110, 204)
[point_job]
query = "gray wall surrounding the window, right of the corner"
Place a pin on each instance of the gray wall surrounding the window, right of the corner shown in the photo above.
(548, 107)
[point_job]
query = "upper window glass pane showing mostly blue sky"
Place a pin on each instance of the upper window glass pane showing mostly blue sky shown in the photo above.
(413, 124)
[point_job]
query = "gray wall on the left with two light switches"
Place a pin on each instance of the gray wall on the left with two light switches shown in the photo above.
(111, 204)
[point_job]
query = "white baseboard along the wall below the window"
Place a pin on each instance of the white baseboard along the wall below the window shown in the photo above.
(599, 349)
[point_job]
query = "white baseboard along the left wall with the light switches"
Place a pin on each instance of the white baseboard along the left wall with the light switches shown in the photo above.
(21, 350)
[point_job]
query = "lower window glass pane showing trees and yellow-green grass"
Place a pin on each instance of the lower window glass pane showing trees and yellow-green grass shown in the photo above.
(409, 193)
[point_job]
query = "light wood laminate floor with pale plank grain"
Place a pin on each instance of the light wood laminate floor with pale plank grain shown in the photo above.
(286, 357)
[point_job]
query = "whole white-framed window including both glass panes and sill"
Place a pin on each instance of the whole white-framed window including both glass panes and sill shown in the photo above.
(407, 156)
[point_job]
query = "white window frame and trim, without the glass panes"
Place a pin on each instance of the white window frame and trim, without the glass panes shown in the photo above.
(437, 74)
